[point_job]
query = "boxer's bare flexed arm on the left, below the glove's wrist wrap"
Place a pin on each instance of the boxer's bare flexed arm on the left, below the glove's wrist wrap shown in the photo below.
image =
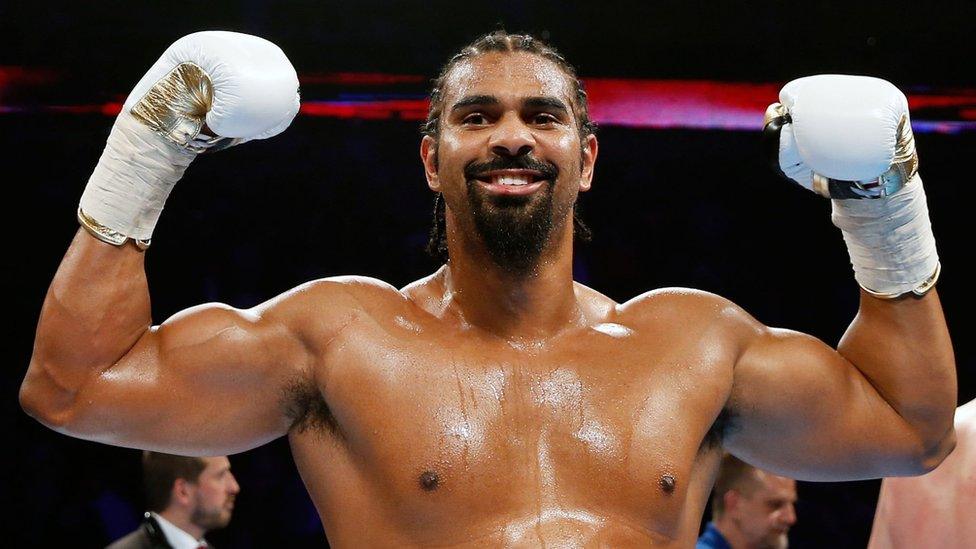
(210, 380)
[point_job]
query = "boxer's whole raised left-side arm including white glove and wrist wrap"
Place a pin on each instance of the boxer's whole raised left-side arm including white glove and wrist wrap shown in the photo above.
(209, 380)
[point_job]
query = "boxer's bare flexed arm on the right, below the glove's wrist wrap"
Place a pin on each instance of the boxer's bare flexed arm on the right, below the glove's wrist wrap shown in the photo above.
(879, 405)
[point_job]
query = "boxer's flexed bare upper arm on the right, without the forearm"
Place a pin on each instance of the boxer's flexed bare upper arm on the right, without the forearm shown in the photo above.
(802, 410)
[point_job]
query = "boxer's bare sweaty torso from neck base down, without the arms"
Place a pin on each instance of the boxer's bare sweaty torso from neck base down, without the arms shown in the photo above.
(413, 428)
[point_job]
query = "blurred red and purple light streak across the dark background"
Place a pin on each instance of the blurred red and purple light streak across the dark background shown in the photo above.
(694, 104)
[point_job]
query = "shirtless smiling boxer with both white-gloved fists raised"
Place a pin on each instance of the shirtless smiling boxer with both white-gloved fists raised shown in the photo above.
(496, 401)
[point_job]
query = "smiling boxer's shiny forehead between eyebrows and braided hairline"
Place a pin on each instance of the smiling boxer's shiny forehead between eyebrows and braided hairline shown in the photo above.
(508, 75)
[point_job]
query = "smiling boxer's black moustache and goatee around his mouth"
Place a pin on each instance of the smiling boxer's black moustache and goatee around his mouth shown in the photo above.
(513, 229)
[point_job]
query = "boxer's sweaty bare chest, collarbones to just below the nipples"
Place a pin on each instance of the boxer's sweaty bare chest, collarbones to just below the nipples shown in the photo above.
(599, 417)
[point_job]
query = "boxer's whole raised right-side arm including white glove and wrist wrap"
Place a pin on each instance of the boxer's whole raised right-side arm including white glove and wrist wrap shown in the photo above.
(882, 403)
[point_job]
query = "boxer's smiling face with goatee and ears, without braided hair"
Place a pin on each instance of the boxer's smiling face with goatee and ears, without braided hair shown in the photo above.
(509, 158)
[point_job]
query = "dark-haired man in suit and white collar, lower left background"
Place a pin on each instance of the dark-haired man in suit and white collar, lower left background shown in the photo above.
(186, 497)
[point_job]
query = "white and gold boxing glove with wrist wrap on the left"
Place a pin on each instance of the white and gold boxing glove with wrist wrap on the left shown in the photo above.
(236, 86)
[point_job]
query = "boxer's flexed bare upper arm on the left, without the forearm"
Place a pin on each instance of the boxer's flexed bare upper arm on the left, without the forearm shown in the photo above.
(208, 381)
